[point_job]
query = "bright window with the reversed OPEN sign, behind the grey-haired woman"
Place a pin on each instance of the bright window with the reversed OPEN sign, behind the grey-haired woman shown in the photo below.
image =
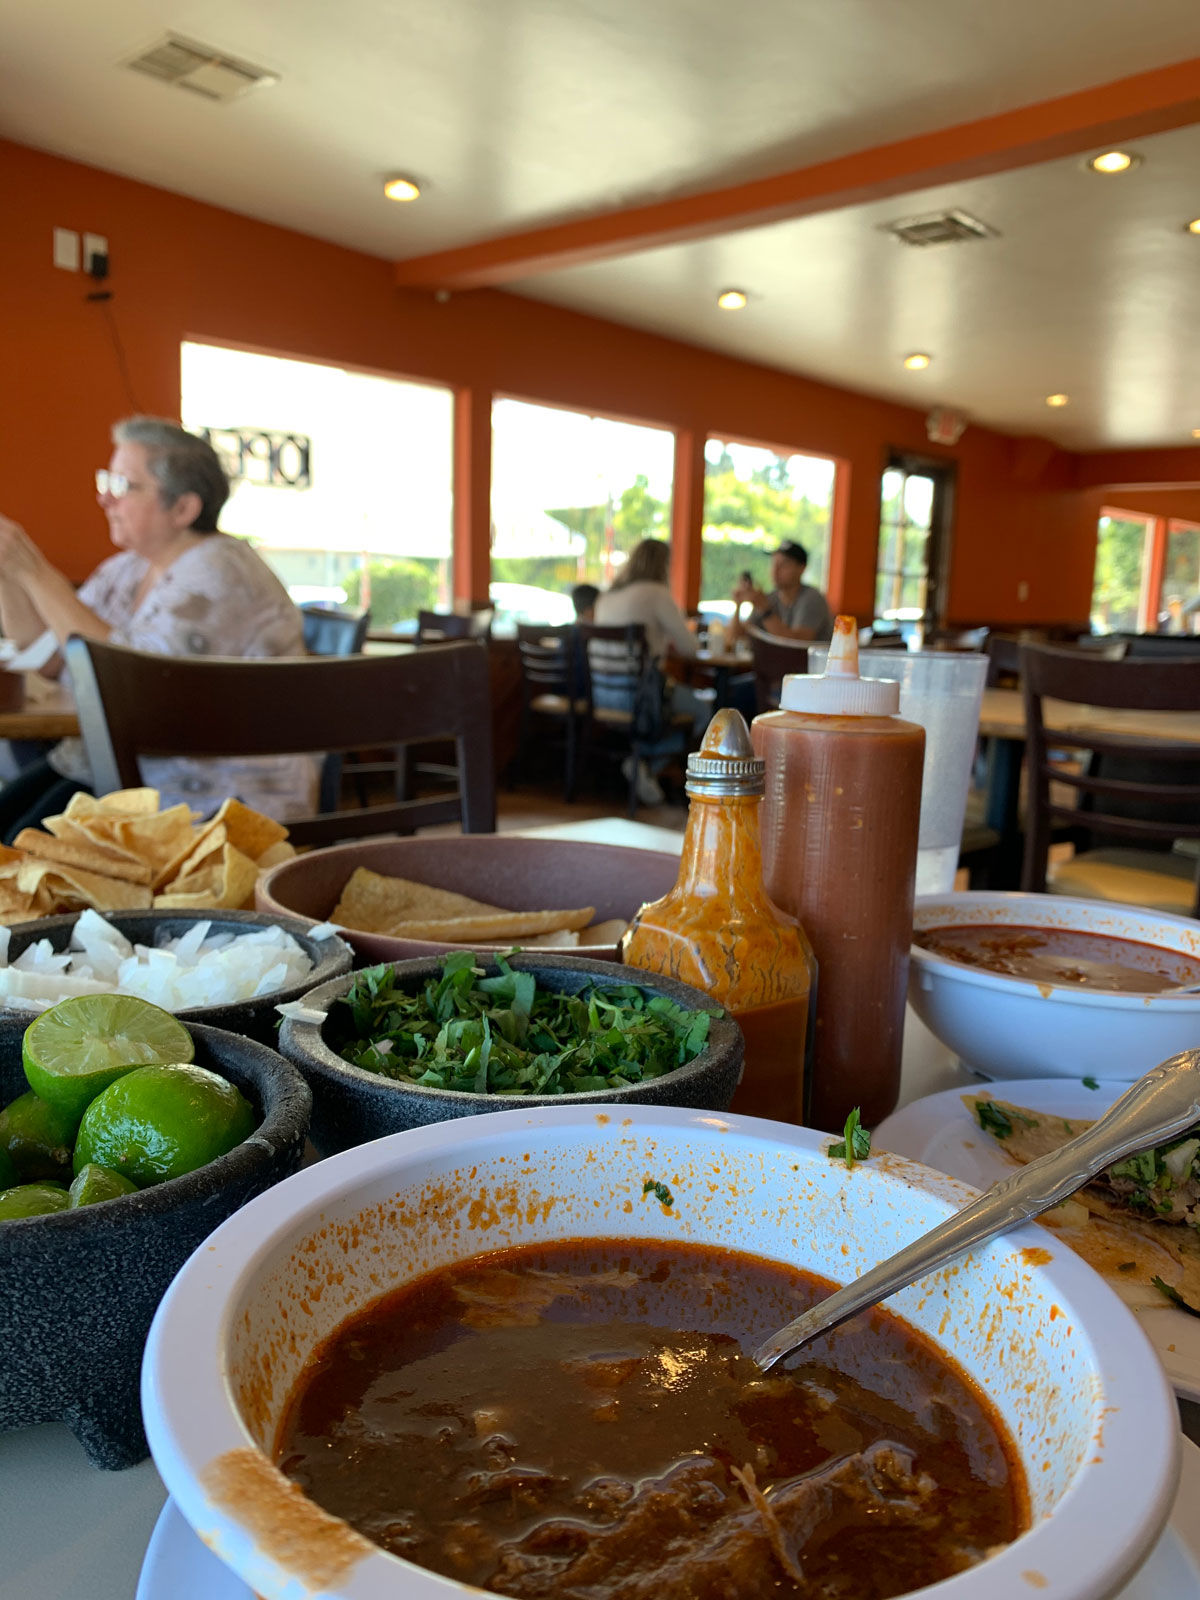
(343, 481)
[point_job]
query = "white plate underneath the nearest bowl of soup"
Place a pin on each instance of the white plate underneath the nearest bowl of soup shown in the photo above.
(180, 1567)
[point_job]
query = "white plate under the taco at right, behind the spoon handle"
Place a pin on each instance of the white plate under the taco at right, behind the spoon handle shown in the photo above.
(943, 1134)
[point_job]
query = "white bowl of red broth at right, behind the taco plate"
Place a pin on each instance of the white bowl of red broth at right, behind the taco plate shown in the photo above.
(1023, 986)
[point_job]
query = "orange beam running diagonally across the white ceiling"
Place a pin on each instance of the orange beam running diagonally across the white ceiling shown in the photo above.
(1089, 121)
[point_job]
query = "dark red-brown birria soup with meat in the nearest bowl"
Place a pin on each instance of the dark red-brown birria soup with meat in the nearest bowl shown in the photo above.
(582, 1422)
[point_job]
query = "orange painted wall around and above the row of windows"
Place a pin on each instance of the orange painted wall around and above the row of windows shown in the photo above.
(183, 270)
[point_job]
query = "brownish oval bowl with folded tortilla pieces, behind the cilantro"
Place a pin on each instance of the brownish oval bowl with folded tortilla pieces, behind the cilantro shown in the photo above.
(402, 898)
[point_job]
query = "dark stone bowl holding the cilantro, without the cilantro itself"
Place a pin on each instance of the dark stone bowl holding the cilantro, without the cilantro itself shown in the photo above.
(353, 1106)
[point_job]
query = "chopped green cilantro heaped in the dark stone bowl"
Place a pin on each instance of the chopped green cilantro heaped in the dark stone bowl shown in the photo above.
(506, 1036)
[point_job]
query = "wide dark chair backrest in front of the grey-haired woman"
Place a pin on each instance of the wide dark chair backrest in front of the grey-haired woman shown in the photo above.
(134, 703)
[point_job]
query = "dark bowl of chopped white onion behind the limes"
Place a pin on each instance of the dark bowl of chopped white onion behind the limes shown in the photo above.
(228, 969)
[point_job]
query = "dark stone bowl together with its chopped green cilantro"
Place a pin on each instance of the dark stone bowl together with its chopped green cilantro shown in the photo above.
(407, 1044)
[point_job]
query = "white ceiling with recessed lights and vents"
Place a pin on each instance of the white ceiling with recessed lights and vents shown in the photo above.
(526, 111)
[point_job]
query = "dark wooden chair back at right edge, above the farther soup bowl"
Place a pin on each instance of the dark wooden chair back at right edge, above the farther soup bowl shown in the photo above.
(1132, 786)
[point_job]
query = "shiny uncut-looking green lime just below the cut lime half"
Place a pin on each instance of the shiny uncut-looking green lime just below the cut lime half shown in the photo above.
(162, 1122)
